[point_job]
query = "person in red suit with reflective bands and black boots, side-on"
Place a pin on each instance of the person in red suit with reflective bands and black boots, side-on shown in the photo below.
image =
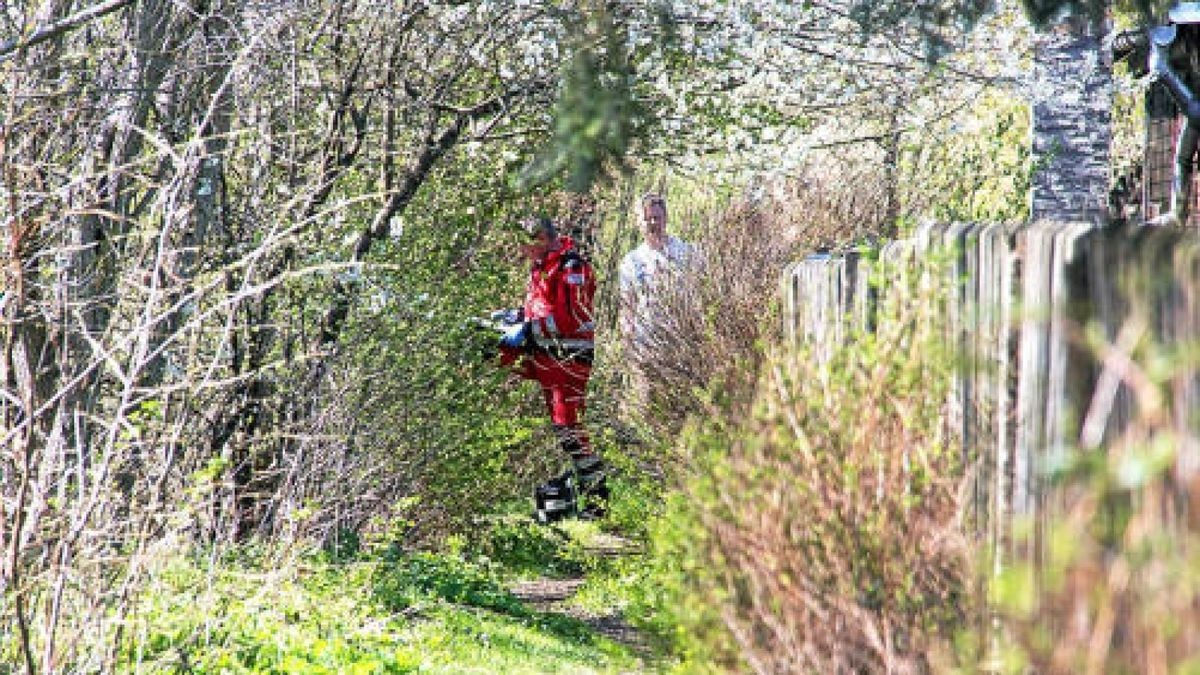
(551, 341)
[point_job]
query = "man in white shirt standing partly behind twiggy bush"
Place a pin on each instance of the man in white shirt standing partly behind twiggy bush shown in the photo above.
(645, 273)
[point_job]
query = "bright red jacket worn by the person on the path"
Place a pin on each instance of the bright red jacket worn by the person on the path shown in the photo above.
(559, 298)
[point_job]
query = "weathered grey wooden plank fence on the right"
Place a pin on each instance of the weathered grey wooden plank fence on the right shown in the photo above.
(1022, 298)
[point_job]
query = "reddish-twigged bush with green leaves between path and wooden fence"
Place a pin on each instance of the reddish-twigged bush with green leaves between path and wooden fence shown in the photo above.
(826, 524)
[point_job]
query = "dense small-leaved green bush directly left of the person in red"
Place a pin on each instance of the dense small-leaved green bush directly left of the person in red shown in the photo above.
(421, 425)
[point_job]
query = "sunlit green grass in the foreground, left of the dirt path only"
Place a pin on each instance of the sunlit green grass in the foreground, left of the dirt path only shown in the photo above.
(374, 613)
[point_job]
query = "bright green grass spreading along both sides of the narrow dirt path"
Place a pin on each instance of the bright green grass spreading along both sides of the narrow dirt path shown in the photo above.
(371, 607)
